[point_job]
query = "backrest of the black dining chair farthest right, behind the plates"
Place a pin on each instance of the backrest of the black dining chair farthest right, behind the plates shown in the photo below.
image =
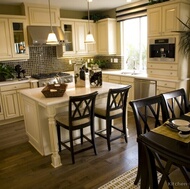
(176, 102)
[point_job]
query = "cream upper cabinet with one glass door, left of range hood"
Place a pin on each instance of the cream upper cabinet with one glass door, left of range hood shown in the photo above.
(14, 45)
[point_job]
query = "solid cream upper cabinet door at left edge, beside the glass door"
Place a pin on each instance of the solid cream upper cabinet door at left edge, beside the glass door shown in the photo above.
(5, 47)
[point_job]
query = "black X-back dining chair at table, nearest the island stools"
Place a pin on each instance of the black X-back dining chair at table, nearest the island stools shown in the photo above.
(149, 113)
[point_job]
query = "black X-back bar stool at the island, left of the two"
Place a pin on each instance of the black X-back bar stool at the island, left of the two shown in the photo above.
(79, 116)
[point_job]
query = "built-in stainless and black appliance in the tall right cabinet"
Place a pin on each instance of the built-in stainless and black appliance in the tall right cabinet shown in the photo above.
(162, 49)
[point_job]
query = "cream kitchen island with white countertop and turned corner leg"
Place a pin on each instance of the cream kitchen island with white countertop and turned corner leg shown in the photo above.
(39, 113)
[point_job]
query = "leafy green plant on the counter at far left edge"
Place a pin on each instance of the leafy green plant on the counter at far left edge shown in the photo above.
(6, 72)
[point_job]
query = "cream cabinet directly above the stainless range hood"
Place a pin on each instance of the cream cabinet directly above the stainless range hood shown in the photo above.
(39, 15)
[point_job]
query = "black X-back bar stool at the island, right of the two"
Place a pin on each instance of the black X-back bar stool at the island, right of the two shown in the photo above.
(114, 108)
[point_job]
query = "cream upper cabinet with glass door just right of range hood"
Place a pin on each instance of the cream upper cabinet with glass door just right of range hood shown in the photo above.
(75, 31)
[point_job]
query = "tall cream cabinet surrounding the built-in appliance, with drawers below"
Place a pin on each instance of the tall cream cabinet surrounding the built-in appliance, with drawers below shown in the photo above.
(162, 22)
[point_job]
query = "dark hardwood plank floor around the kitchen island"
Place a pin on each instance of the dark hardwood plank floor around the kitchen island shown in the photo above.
(22, 167)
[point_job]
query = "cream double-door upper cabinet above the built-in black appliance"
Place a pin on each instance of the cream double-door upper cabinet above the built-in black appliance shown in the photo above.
(162, 17)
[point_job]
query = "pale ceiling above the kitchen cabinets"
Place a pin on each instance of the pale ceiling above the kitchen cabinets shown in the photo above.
(80, 5)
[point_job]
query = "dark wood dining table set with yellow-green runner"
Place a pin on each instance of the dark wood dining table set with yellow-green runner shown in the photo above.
(166, 140)
